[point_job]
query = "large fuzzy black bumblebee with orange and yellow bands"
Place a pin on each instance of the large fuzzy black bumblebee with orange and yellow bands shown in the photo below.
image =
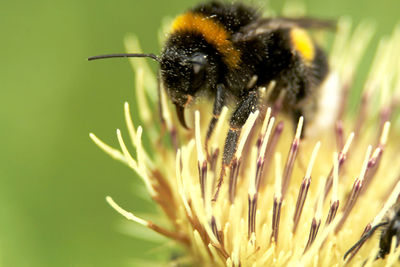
(228, 51)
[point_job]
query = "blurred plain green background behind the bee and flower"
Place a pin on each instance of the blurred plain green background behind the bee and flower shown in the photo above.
(53, 179)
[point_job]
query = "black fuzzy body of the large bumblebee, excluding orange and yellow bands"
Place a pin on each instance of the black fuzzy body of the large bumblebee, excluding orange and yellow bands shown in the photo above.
(266, 54)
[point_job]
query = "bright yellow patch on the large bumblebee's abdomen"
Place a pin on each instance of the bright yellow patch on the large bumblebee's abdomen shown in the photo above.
(303, 44)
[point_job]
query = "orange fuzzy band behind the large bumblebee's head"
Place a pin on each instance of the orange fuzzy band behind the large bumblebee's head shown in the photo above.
(212, 31)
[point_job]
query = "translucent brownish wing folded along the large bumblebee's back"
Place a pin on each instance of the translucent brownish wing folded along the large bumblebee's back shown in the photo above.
(263, 26)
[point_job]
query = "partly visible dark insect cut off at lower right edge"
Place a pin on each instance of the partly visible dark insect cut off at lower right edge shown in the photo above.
(390, 226)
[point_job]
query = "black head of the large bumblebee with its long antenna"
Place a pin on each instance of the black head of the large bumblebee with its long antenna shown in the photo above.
(187, 64)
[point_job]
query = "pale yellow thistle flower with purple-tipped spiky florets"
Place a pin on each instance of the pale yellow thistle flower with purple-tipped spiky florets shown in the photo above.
(284, 201)
